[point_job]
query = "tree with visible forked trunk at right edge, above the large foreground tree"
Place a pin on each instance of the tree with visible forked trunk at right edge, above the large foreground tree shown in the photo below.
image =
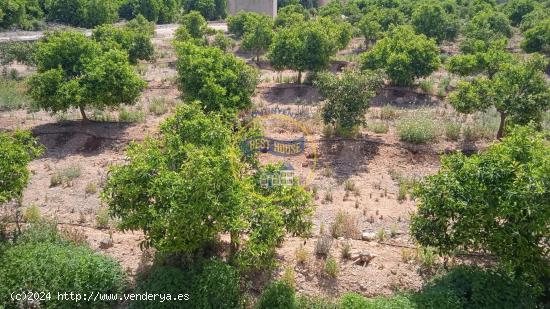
(519, 91)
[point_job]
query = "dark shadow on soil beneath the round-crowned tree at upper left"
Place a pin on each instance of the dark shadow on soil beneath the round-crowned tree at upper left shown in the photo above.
(87, 138)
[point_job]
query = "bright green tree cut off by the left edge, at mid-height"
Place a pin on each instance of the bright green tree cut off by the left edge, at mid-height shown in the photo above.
(18, 149)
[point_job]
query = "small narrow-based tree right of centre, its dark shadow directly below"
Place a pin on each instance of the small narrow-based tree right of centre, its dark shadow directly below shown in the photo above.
(347, 98)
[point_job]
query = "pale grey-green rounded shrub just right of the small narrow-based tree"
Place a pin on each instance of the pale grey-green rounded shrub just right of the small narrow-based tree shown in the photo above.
(417, 129)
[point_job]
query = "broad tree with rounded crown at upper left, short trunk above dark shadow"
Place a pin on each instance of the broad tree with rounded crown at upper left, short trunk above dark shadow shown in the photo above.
(74, 72)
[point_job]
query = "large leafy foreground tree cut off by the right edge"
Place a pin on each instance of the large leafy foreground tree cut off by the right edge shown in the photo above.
(495, 201)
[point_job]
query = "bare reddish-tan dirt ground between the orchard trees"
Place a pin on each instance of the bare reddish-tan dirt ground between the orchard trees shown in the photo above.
(368, 160)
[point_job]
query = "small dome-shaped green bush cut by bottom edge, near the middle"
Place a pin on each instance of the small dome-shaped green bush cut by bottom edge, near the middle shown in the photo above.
(278, 295)
